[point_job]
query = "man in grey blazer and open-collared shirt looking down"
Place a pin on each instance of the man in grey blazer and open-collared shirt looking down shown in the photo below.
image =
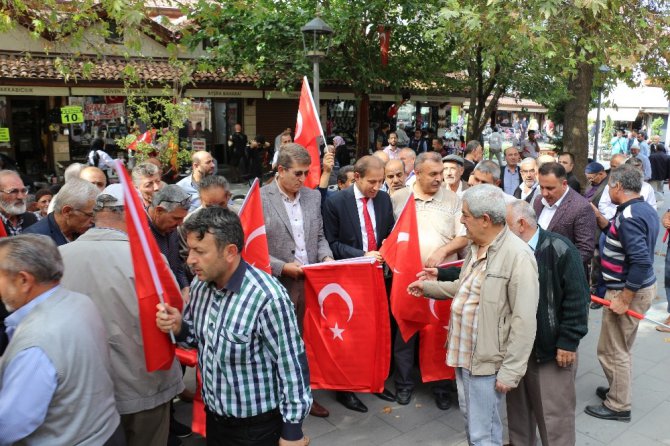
(294, 229)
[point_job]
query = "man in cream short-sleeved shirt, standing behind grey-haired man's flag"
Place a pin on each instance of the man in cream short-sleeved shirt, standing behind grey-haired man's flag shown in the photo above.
(438, 214)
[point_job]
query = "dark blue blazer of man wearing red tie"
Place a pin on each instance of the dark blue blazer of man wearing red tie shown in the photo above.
(342, 226)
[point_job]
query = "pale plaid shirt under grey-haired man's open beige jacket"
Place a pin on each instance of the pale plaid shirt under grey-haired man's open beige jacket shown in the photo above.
(465, 311)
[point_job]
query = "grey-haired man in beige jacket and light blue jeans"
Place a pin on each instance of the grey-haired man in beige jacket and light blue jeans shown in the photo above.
(492, 327)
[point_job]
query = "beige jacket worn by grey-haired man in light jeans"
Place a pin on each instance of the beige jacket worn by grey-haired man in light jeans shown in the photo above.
(507, 309)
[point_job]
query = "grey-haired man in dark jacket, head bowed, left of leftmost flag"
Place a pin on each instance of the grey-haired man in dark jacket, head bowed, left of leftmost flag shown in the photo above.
(72, 215)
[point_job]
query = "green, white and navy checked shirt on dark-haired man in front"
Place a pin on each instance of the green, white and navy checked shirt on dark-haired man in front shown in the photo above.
(250, 352)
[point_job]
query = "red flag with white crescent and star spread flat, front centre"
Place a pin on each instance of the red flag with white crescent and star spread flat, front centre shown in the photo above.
(346, 327)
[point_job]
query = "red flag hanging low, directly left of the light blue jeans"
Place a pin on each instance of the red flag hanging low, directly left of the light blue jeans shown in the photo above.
(432, 339)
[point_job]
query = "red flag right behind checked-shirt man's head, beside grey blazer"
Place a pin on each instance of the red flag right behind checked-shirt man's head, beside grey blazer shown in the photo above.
(253, 224)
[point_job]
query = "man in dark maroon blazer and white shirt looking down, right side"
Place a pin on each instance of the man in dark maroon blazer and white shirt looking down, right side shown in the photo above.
(562, 210)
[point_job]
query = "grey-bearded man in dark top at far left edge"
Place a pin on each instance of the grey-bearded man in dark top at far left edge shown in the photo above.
(13, 194)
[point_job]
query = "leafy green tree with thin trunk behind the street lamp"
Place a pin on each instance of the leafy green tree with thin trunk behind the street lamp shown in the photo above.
(276, 58)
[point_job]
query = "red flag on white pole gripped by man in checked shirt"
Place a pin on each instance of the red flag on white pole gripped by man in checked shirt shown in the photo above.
(154, 281)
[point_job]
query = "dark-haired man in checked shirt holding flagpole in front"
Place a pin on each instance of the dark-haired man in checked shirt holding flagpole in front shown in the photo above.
(255, 382)
